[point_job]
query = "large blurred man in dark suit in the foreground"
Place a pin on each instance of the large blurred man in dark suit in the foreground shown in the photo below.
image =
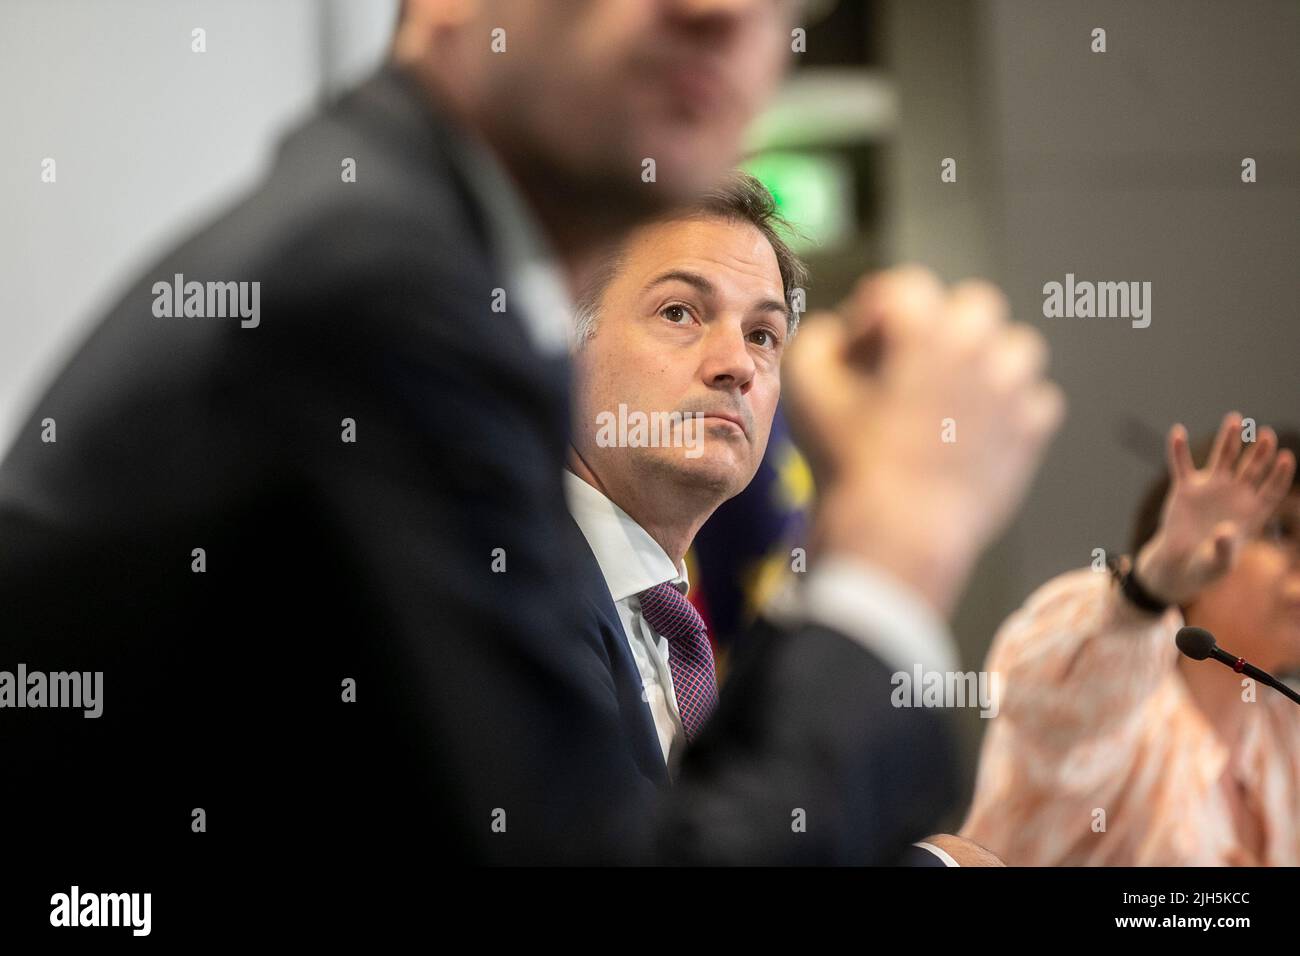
(298, 498)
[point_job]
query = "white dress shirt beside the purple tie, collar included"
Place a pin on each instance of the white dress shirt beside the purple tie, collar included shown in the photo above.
(631, 563)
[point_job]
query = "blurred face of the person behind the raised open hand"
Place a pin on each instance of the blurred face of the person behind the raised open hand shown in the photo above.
(1255, 609)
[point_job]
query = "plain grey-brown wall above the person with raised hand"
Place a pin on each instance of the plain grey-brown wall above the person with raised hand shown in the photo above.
(1117, 166)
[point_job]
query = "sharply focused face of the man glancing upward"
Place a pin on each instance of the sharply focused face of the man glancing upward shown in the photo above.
(692, 322)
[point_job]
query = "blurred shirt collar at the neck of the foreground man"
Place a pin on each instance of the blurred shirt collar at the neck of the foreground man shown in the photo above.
(536, 285)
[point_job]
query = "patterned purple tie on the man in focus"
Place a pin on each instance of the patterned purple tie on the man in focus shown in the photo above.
(691, 659)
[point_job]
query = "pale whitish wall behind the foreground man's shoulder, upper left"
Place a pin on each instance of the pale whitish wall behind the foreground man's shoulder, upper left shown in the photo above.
(149, 140)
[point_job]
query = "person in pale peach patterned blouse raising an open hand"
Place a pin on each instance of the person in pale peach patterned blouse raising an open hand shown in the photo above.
(1111, 749)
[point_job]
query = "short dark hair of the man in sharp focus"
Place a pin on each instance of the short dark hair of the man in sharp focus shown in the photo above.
(739, 198)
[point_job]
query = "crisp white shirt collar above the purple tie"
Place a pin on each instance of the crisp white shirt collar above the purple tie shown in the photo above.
(630, 559)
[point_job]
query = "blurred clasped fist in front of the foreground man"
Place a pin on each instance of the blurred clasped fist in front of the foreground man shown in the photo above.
(925, 413)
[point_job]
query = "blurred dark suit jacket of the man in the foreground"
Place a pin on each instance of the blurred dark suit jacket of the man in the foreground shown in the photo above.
(491, 720)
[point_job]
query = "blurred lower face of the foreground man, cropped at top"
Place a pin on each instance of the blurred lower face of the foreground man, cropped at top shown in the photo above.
(588, 90)
